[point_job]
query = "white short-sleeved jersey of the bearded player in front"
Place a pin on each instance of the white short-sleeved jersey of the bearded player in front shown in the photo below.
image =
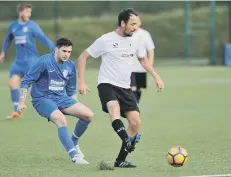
(118, 59)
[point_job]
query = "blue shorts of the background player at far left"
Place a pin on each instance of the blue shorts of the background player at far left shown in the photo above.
(21, 69)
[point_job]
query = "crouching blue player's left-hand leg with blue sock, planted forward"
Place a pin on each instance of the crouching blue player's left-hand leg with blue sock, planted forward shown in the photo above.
(59, 119)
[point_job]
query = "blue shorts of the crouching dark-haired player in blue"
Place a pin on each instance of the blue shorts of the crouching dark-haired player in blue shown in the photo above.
(45, 106)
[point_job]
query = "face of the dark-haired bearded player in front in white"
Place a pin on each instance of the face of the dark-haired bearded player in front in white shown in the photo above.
(131, 26)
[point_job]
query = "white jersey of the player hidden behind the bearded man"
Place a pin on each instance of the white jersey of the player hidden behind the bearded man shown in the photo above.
(148, 45)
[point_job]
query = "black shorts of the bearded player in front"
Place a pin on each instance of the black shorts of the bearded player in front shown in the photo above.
(125, 98)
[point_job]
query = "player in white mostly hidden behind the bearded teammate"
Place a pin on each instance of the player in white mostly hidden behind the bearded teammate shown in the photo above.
(139, 74)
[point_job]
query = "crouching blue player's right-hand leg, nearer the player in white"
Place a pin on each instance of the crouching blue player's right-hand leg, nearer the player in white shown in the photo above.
(85, 116)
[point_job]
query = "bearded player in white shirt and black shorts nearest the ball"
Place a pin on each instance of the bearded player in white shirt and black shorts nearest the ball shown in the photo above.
(117, 49)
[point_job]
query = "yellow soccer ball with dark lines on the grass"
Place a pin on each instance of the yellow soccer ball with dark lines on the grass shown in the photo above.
(177, 156)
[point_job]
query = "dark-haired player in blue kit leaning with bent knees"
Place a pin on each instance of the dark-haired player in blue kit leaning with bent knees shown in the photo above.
(53, 92)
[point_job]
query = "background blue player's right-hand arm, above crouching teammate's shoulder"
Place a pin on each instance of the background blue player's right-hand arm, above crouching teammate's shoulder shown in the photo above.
(39, 34)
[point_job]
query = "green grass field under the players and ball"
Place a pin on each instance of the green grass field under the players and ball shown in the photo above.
(194, 111)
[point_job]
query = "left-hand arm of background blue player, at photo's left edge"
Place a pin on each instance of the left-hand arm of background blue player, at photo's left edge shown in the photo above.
(6, 44)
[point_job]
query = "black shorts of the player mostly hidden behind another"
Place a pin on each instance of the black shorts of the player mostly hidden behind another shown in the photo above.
(139, 80)
